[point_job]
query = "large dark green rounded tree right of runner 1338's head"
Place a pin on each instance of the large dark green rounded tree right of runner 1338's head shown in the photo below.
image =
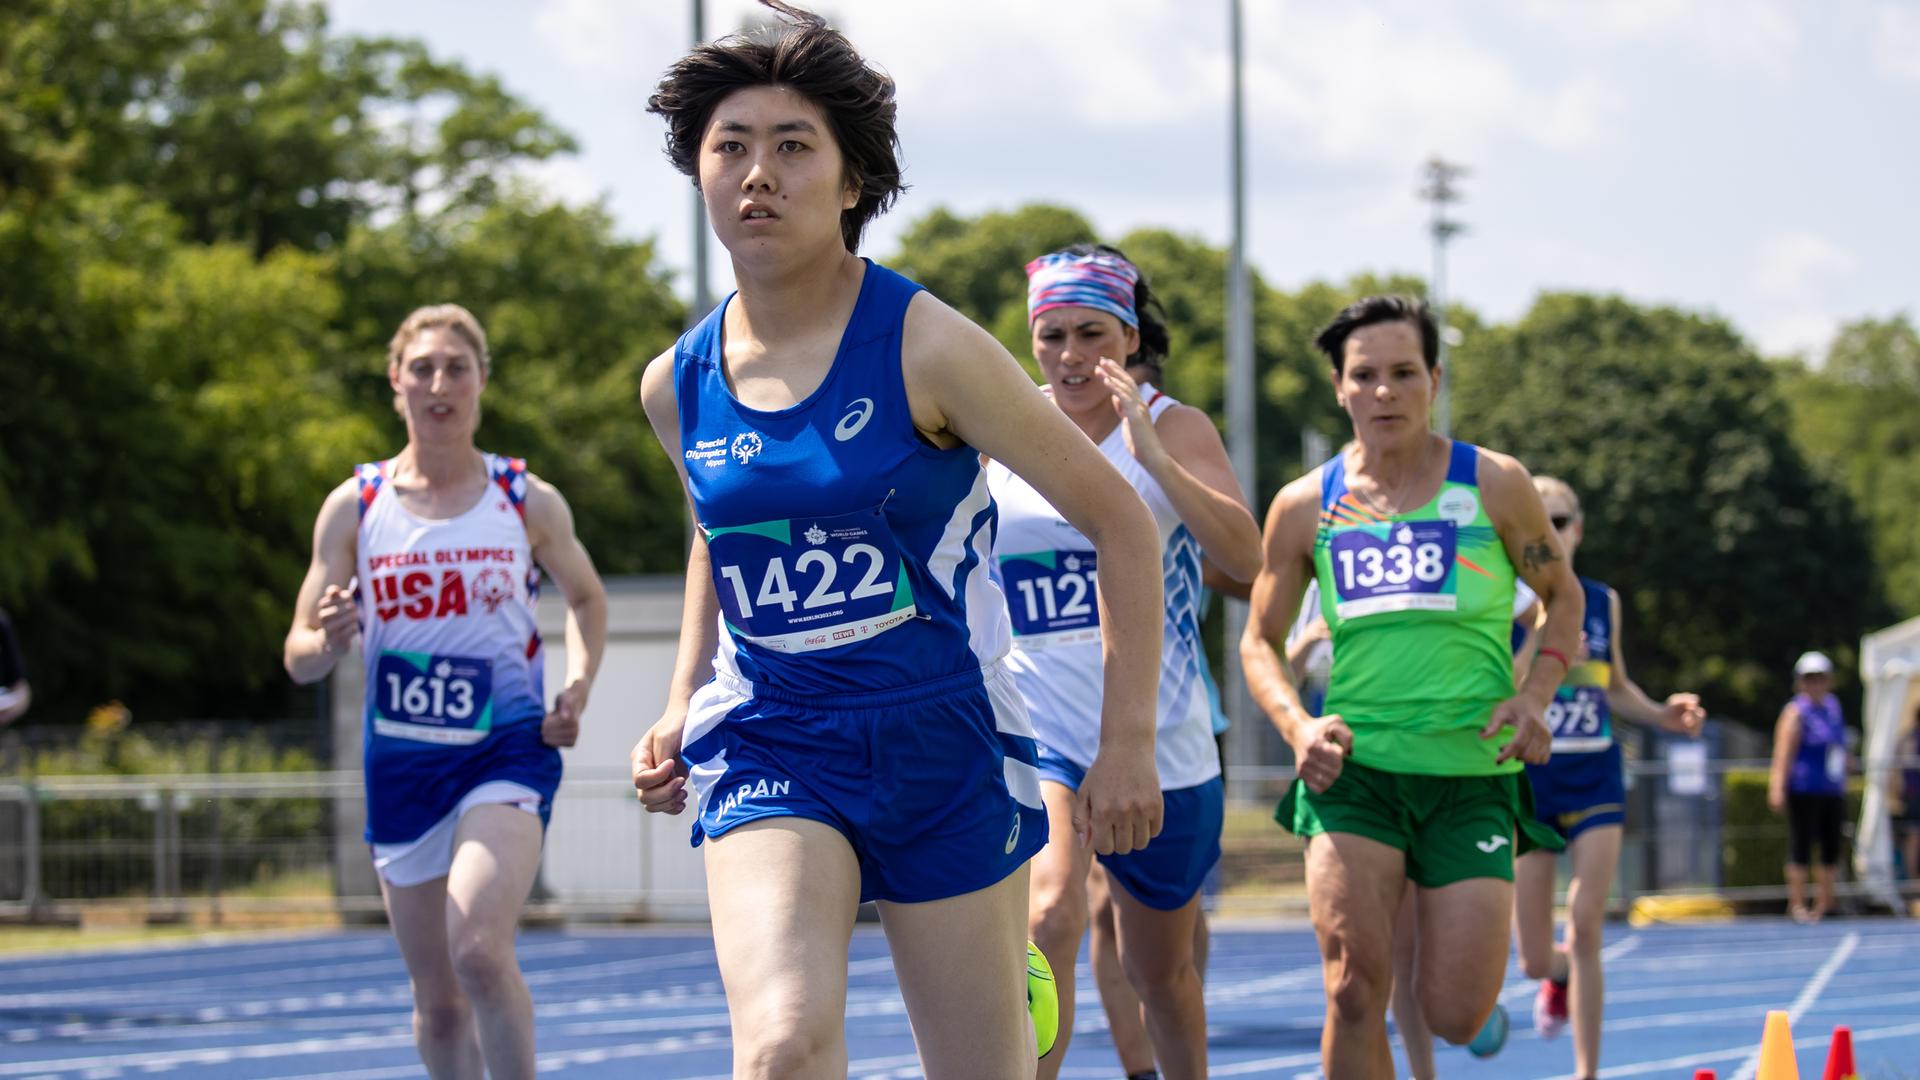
(1731, 552)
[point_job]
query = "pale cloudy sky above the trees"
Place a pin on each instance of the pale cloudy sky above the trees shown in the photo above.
(1758, 159)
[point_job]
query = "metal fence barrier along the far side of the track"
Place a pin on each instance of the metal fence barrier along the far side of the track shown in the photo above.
(229, 848)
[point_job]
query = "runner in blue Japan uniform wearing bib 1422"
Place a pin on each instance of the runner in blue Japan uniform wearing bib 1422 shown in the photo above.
(842, 718)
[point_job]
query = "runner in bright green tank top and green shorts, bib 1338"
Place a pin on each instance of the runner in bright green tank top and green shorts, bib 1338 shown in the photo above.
(1414, 770)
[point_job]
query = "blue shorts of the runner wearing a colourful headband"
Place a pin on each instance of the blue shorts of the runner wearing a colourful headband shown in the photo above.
(1174, 866)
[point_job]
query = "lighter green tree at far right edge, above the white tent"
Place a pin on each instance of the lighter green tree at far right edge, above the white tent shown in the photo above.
(1856, 418)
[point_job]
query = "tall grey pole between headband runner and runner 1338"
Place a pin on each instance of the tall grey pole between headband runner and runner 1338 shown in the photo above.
(1245, 741)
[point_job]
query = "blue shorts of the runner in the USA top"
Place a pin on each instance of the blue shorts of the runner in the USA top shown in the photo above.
(412, 787)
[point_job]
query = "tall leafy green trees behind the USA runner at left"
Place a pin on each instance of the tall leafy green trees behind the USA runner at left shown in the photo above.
(212, 218)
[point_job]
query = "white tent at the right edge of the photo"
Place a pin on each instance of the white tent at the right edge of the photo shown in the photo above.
(1890, 666)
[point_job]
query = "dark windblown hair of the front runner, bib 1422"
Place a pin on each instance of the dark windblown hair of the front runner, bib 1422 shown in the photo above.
(815, 61)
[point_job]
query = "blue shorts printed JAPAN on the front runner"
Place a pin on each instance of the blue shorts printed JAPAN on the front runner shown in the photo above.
(934, 787)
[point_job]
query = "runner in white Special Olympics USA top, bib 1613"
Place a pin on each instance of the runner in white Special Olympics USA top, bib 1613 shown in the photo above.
(433, 560)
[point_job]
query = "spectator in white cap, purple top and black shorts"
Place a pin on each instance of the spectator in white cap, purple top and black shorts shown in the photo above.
(1810, 783)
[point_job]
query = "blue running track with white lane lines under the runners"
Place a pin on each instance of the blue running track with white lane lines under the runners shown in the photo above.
(648, 1004)
